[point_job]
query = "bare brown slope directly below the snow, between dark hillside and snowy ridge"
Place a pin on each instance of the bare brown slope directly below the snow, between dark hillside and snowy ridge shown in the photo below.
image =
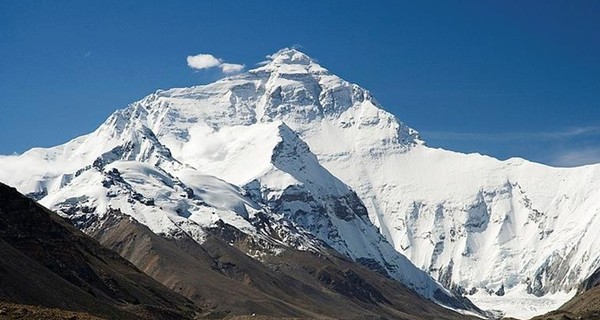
(219, 275)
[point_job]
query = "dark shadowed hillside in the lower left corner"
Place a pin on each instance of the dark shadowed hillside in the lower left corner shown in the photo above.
(47, 262)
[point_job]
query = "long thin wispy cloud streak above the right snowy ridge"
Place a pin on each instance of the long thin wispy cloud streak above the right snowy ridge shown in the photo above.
(512, 136)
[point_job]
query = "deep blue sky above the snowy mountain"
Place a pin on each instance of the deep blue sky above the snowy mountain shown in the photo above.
(503, 78)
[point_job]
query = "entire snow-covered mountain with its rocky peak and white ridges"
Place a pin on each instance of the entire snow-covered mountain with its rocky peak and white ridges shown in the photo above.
(321, 160)
